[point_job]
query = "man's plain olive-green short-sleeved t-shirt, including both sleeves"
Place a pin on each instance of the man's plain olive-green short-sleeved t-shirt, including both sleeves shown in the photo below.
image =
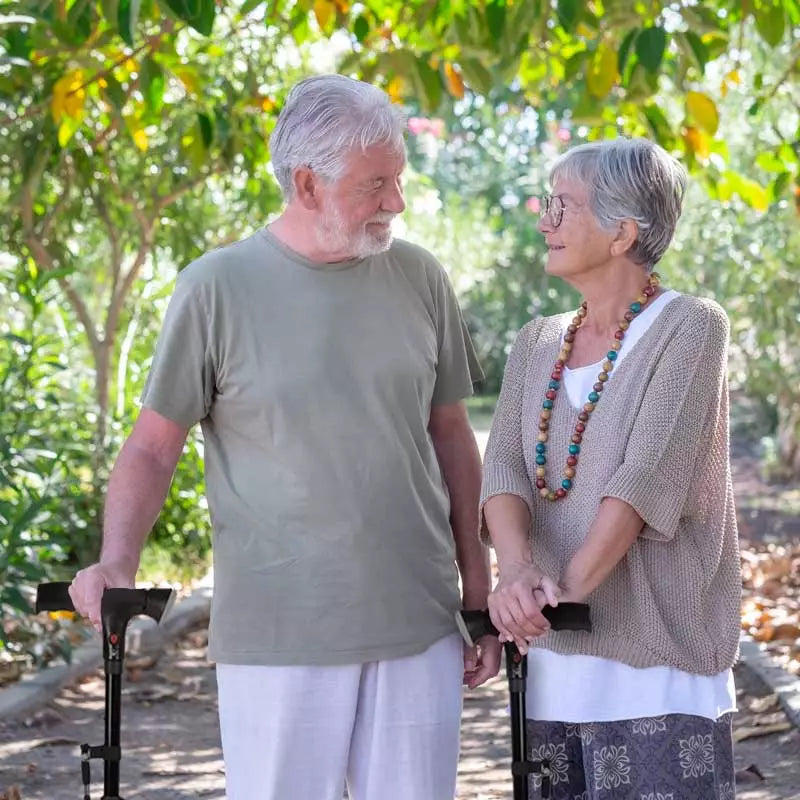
(313, 384)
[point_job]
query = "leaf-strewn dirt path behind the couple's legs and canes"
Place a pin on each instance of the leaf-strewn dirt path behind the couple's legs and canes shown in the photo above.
(172, 752)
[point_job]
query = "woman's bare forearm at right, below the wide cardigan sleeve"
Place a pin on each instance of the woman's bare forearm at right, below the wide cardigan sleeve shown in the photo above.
(615, 528)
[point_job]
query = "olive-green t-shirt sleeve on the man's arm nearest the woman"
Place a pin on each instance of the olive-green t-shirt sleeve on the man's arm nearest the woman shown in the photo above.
(457, 363)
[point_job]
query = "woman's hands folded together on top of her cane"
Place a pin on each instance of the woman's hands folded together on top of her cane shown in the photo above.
(516, 603)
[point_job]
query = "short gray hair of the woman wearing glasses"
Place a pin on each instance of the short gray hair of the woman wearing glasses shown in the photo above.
(629, 179)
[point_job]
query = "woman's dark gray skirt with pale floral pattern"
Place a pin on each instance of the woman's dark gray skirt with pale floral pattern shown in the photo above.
(673, 757)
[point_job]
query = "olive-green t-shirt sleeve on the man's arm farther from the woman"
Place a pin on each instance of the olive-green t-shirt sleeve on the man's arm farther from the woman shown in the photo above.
(181, 382)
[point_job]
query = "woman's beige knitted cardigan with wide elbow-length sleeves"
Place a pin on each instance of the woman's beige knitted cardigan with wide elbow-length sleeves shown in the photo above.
(658, 440)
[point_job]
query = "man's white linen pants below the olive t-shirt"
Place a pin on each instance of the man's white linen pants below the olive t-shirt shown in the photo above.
(388, 730)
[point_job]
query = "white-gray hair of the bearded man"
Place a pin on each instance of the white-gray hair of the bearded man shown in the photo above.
(324, 119)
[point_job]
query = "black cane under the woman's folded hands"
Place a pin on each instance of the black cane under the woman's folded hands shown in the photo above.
(475, 624)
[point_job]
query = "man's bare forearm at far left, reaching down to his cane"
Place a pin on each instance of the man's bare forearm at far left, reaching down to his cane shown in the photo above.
(137, 488)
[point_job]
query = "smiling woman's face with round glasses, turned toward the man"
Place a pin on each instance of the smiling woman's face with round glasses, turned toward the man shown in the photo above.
(576, 245)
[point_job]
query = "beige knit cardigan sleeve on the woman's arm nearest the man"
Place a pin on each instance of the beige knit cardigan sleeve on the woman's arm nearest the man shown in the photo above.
(504, 470)
